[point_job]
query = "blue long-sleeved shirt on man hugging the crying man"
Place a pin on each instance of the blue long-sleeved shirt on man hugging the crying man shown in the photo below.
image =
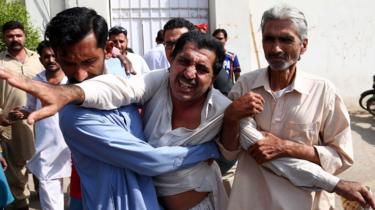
(114, 162)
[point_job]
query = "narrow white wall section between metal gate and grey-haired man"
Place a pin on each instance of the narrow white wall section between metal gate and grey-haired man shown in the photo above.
(234, 17)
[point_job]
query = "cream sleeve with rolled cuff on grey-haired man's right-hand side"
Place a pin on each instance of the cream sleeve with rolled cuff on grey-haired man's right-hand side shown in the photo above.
(336, 150)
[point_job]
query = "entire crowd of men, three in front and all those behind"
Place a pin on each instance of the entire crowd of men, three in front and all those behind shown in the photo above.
(176, 128)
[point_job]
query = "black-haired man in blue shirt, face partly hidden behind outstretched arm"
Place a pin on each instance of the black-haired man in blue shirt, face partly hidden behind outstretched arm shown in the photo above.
(114, 162)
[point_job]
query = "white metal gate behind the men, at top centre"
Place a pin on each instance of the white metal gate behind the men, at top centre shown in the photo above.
(144, 18)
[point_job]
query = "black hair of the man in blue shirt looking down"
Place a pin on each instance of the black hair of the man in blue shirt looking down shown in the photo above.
(72, 25)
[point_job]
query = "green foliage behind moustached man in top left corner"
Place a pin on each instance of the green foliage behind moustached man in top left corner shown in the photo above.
(17, 11)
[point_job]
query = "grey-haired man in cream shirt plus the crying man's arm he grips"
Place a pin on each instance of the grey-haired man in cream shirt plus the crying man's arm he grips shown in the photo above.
(303, 120)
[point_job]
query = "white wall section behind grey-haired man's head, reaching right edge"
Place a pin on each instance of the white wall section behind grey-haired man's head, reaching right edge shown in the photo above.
(341, 42)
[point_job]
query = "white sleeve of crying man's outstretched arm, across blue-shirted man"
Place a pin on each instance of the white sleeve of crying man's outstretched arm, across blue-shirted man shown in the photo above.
(110, 92)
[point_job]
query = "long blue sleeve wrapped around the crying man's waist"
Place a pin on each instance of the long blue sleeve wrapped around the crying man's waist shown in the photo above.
(94, 135)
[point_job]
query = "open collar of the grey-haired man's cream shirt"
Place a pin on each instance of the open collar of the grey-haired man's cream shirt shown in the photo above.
(299, 84)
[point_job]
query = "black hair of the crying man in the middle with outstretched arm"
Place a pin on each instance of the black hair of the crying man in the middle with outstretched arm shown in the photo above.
(202, 41)
